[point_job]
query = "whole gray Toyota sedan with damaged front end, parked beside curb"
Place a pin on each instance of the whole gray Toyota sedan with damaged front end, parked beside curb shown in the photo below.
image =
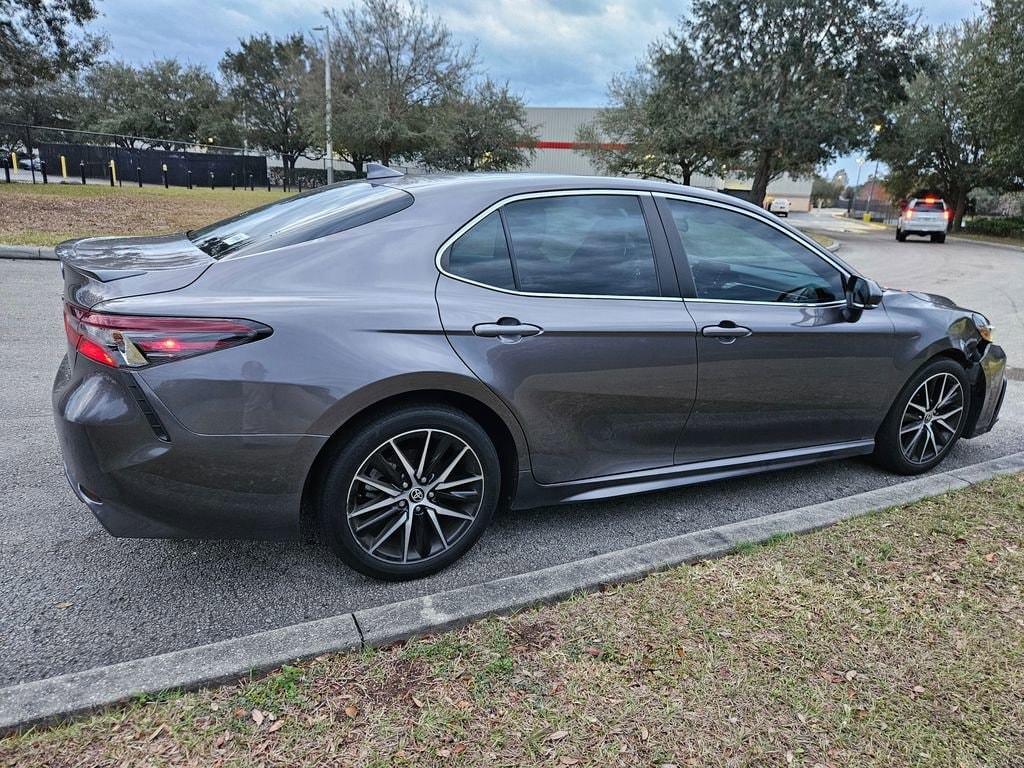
(381, 364)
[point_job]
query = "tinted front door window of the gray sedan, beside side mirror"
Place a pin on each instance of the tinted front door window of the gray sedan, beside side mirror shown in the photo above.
(738, 258)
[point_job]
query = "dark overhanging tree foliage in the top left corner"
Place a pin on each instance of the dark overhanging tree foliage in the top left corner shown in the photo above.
(41, 40)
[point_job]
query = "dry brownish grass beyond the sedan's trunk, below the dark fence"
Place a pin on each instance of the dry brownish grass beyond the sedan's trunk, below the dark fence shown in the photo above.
(45, 216)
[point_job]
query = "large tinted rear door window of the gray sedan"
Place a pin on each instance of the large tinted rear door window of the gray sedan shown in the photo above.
(587, 244)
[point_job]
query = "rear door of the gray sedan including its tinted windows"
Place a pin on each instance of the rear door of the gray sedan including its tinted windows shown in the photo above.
(566, 305)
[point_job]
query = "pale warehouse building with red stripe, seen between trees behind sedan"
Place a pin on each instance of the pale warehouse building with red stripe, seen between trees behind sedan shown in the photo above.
(559, 152)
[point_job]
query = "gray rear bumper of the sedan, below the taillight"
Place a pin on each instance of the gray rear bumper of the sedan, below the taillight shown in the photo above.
(141, 483)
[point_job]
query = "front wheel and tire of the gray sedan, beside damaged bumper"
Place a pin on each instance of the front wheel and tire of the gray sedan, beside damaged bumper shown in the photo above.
(926, 419)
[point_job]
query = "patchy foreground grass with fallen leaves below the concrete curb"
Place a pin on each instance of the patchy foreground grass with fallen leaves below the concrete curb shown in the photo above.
(897, 639)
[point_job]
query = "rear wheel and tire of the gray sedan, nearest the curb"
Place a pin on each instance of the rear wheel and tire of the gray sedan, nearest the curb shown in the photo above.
(410, 493)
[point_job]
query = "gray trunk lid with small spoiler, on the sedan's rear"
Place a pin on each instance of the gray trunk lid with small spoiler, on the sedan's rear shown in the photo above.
(99, 270)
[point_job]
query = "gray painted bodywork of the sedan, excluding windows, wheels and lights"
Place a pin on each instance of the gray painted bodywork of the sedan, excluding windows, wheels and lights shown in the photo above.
(357, 323)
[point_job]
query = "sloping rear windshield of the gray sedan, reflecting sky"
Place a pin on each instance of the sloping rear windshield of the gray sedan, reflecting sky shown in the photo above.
(301, 219)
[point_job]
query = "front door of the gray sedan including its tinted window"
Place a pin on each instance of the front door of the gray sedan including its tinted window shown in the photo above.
(781, 367)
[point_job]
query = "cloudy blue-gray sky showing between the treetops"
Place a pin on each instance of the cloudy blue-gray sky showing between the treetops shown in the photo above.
(553, 53)
